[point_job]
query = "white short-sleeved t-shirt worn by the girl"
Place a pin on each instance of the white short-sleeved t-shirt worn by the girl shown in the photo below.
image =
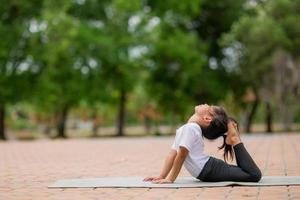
(190, 136)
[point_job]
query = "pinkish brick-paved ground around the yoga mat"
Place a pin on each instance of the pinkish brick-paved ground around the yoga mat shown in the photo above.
(28, 167)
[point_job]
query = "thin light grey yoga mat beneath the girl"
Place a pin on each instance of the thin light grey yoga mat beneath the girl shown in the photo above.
(181, 182)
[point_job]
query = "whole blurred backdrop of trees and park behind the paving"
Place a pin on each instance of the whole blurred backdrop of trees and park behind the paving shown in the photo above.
(95, 68)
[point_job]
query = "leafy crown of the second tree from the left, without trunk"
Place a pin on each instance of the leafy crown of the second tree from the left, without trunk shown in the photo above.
(59, 82)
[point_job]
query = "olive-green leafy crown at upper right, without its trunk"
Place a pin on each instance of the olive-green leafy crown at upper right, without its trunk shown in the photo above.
(254, 39)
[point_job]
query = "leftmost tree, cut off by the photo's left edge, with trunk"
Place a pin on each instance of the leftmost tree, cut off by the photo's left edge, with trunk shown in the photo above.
(16, 70)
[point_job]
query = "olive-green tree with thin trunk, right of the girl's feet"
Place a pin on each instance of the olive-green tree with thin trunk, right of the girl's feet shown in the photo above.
(258, 61)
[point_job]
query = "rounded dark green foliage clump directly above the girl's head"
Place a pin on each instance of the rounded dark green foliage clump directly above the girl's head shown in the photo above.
(174, 72)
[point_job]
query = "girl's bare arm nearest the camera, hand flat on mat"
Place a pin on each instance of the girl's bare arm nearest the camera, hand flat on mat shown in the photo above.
(179, 159)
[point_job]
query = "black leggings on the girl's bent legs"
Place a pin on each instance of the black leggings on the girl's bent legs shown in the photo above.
(245, 171)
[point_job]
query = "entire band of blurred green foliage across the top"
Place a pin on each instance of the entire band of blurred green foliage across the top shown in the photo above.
(168, 55)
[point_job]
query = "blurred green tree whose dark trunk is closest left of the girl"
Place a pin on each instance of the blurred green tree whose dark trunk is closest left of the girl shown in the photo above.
(122, 24)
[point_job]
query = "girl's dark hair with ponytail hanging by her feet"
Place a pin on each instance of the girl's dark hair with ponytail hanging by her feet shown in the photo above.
(218, 128)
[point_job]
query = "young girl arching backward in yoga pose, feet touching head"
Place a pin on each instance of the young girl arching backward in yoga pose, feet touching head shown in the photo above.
(210, 122)
